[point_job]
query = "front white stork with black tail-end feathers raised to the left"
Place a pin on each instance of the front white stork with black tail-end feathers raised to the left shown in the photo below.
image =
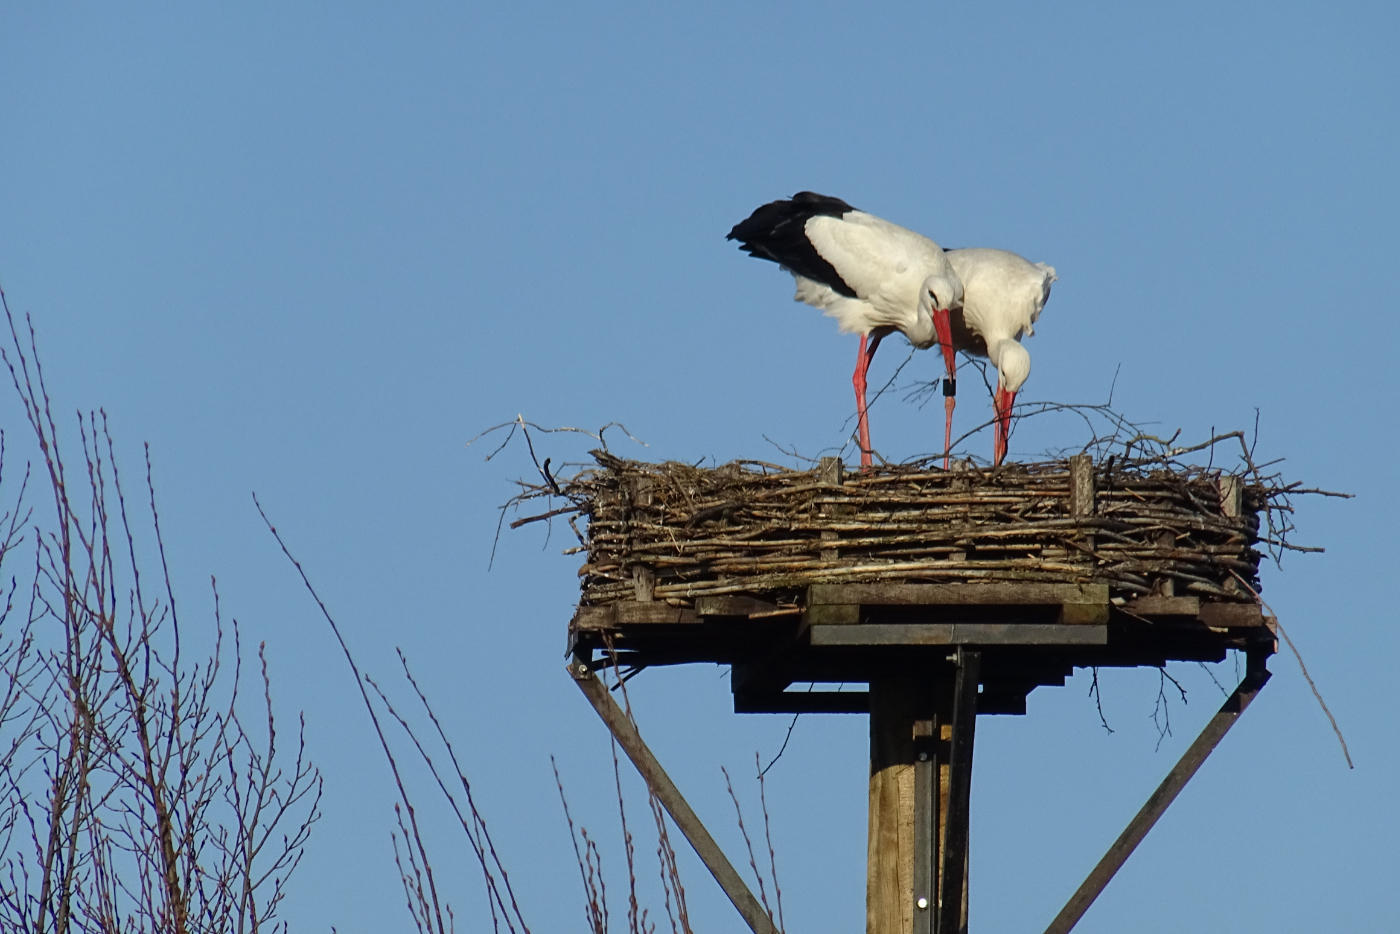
(873, 277)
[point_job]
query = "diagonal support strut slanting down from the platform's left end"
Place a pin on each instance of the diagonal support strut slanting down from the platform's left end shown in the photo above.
(670, 797)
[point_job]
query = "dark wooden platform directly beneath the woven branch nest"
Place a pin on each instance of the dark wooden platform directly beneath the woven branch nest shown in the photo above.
(1030, 635)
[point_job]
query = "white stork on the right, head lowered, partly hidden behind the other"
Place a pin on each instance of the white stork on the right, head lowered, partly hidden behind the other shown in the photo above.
(1003, 298)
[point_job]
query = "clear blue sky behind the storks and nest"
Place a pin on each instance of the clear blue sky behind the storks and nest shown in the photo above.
(310, 250)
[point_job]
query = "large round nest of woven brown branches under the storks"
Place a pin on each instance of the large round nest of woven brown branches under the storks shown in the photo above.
(1143, 522)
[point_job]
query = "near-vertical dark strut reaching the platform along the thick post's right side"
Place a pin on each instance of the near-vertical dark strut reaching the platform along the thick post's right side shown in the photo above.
(954, 858)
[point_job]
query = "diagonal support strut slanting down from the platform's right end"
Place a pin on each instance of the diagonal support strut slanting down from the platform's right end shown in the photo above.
(1256, 676)
